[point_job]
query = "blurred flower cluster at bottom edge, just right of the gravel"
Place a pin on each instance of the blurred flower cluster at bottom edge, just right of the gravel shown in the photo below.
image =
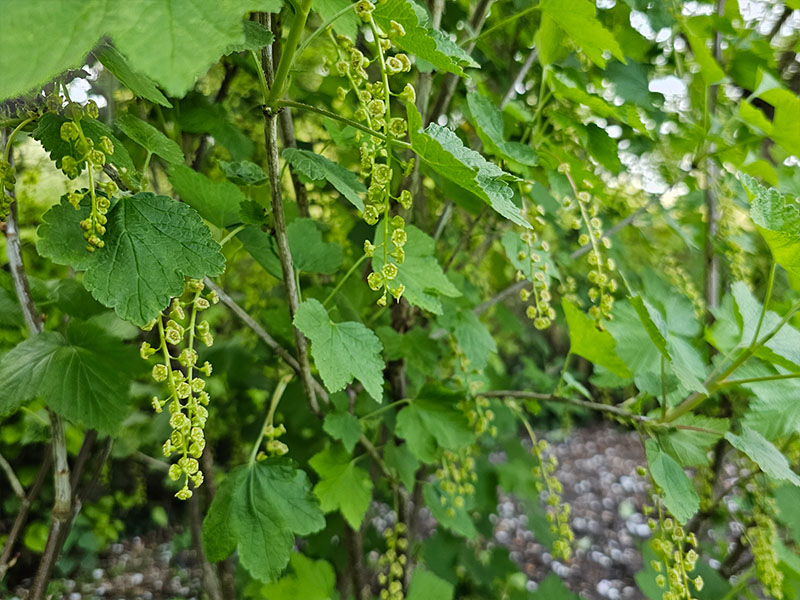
(675, 562)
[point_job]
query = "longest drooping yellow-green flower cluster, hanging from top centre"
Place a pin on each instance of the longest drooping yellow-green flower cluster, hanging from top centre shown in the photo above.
(378, 164)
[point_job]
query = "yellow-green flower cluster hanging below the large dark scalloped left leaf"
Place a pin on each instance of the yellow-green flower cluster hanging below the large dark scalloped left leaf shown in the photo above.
(186, 398)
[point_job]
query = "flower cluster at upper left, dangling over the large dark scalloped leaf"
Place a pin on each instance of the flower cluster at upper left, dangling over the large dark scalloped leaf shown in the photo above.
(83, 152)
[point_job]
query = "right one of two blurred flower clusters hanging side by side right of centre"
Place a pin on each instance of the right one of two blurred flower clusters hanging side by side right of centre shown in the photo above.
(582, 213)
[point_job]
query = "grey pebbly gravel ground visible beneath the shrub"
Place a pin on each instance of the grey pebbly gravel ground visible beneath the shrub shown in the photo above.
(597, 467)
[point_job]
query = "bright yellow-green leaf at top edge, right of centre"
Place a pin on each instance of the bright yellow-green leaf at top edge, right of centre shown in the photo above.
(580, 25)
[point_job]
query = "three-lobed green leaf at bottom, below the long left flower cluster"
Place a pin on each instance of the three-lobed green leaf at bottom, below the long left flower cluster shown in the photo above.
(258, 509)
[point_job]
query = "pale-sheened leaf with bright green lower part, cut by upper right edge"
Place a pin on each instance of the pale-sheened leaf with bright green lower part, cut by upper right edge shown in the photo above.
(778, 221)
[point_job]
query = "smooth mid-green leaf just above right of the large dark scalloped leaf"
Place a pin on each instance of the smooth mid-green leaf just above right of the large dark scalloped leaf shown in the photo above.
(219, 202)
